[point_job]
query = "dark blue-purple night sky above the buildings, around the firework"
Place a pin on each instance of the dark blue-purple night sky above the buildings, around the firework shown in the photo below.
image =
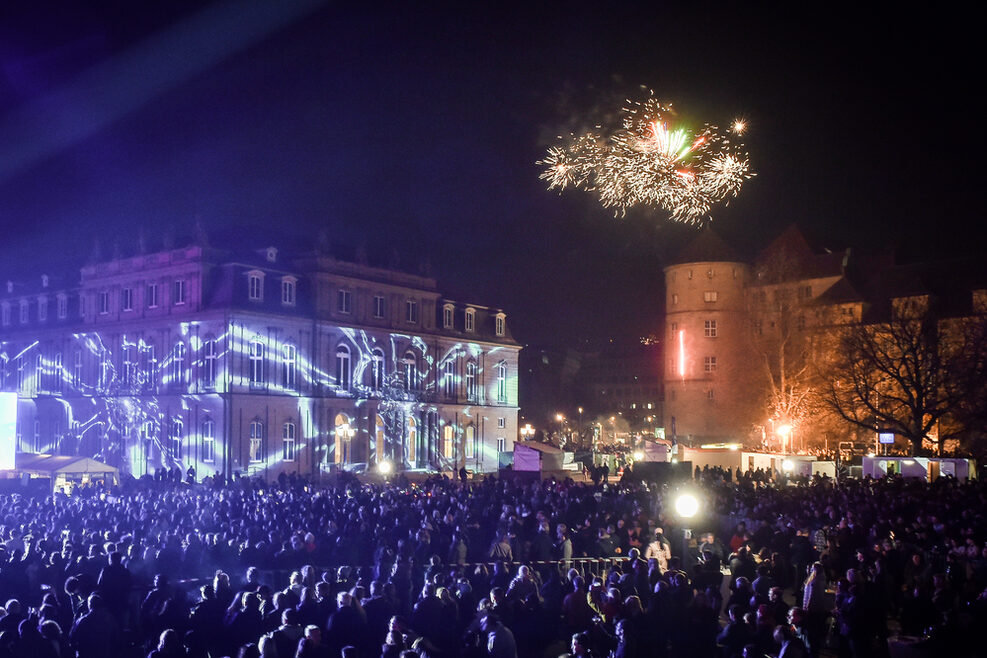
(415, 130)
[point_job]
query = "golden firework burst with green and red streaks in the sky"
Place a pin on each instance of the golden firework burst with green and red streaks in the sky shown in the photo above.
(648, 162)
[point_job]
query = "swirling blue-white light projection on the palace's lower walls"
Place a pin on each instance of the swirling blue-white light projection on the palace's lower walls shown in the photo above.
(242, 396)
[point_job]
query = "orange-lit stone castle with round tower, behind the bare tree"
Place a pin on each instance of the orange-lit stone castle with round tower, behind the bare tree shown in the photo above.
(738, 333)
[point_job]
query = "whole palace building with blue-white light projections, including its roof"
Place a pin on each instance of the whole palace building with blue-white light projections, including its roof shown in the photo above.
(257, 364)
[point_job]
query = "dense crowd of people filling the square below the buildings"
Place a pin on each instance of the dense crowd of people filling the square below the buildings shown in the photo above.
(494, 567)
